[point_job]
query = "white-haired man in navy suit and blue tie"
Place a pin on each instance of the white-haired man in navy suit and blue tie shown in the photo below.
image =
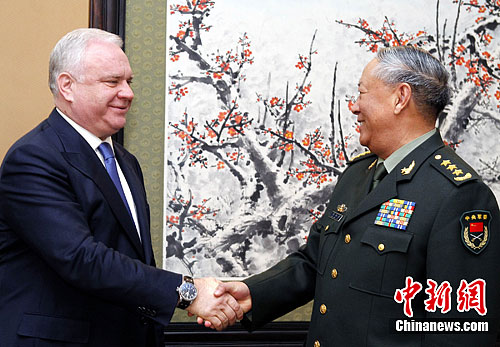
(76, 261)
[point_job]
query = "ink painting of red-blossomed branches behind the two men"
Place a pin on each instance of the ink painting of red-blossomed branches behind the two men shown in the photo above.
(258, 122)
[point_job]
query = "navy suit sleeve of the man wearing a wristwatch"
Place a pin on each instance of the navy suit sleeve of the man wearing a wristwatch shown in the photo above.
(40, 205)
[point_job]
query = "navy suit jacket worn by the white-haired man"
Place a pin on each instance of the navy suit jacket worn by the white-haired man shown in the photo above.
(73, 271)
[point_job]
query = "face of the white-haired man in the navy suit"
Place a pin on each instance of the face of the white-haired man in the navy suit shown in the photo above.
(102, 93)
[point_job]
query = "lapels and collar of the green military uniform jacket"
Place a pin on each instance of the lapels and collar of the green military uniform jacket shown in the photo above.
(388, 187)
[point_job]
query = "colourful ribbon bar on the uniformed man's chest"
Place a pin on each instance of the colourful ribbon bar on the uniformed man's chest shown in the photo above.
(395, 213)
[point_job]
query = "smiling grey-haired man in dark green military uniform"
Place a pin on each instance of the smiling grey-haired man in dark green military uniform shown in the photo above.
(420, 242)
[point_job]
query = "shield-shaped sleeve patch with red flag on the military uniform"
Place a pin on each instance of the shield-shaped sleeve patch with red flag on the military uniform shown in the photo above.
(475, 230)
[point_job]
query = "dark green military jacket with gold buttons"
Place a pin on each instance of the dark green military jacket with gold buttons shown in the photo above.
(353, 280)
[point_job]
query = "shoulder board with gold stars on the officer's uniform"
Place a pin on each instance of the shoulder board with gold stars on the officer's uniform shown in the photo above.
(453, 168)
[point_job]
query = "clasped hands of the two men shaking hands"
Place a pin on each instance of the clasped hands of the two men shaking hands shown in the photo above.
(218, 305)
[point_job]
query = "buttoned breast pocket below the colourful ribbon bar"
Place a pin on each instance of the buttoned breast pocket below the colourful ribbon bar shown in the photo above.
(380, 266)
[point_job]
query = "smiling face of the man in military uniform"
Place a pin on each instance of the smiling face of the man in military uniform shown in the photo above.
(375, 110)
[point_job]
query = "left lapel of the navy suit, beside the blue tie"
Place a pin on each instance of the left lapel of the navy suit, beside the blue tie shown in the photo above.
(83, 158)
